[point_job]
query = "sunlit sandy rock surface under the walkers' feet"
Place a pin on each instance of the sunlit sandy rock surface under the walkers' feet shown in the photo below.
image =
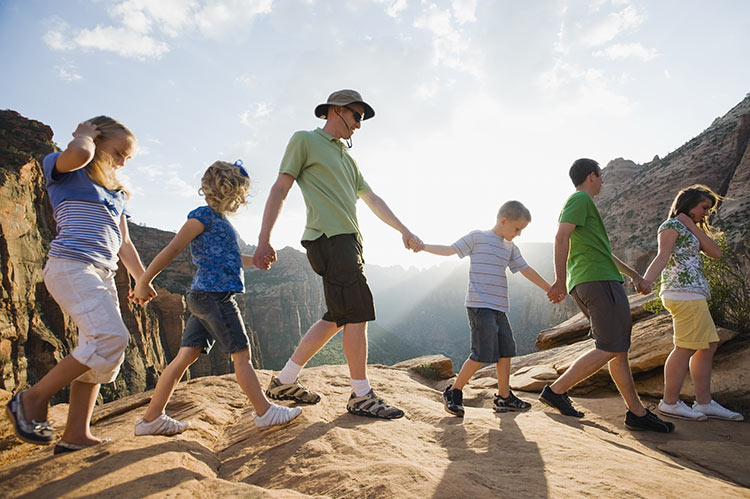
(330, 453)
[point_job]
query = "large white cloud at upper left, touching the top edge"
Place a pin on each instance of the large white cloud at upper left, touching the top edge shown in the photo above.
(139, 27)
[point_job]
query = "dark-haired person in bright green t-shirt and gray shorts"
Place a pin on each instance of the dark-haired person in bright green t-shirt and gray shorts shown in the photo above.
(594, 281)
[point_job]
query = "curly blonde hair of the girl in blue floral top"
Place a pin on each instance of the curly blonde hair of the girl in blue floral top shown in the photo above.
(225, 187)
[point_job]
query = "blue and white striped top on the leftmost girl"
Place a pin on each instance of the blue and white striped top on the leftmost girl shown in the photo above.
(87, 216)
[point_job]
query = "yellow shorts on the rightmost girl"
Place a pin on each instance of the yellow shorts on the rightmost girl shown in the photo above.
(693, 326)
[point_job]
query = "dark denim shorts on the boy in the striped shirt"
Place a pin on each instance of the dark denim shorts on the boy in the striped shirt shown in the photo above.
(491, 336)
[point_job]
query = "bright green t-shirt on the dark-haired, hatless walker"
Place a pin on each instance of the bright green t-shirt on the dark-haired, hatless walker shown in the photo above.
(590, 256)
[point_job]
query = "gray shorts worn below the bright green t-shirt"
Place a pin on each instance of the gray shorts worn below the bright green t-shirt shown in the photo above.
(606, 305)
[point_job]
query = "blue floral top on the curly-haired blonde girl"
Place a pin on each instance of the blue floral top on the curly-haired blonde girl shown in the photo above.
(216, 253)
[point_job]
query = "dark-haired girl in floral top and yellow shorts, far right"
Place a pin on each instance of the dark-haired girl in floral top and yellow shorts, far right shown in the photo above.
(684, 292)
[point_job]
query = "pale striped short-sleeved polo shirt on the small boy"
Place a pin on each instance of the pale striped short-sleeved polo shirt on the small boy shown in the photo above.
(490, 254)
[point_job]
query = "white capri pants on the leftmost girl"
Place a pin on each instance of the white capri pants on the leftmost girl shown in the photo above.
(88, 294)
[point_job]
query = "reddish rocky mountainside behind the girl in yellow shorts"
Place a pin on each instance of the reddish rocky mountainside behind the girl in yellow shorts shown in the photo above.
(635, 199)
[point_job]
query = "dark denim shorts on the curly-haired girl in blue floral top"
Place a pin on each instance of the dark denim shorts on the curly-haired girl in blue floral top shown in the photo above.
(215, 318)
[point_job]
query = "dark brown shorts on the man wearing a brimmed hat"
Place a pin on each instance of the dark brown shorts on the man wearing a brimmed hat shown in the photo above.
(338, 259)
